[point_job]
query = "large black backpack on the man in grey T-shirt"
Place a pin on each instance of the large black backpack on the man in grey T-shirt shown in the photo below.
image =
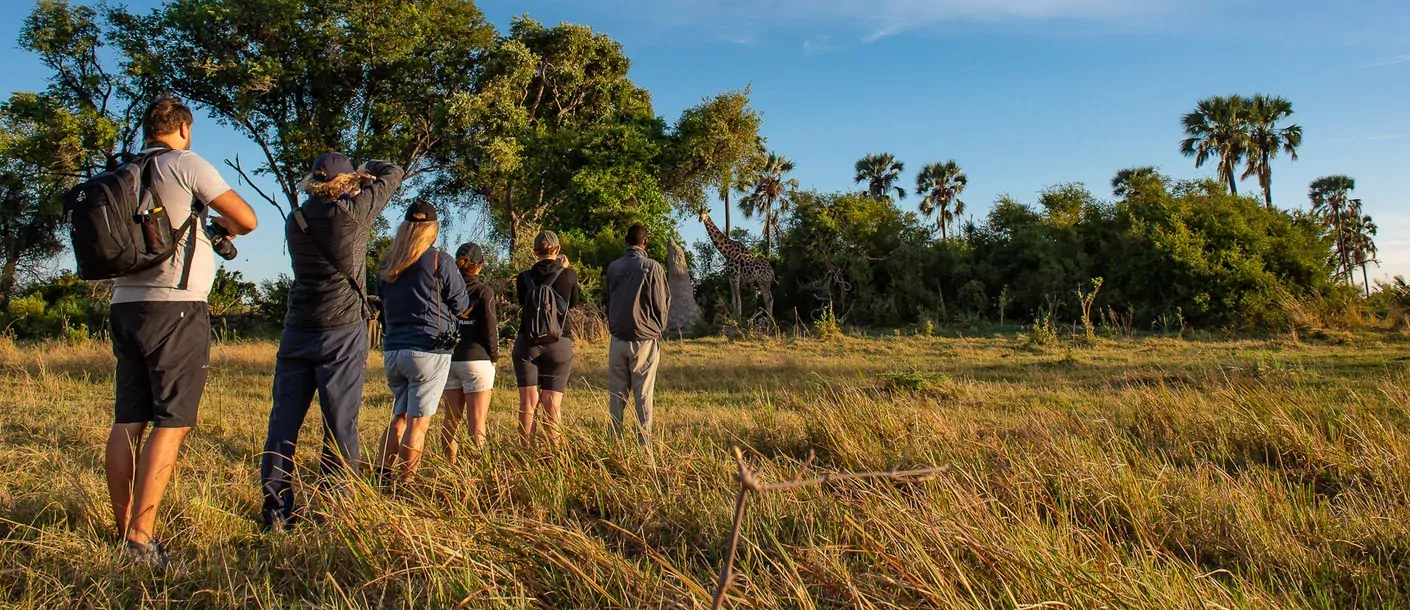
(119, 225)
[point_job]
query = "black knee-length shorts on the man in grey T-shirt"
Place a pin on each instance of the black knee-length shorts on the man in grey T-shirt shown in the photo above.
(163, 354)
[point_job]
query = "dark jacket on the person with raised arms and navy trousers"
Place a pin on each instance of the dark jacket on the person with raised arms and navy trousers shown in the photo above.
(321, 298)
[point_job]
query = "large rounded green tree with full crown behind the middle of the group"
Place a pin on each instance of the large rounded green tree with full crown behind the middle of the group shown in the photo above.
(555, 133)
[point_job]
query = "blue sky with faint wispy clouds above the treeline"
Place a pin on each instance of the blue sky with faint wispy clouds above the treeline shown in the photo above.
(1024, 94)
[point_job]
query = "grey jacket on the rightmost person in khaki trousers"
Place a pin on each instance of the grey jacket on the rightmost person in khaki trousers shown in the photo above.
(638, 298)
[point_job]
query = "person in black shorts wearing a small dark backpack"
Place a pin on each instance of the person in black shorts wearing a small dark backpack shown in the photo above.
(544, 350)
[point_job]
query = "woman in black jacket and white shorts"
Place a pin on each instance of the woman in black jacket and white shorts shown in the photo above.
(473, 363)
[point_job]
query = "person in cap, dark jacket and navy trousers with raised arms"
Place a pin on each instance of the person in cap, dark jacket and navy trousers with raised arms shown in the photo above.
(324, 347)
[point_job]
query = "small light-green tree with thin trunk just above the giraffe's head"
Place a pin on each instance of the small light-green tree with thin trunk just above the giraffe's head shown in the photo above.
(717, 149)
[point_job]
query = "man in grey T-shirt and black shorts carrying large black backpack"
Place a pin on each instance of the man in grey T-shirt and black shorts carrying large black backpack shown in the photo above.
(143, 226)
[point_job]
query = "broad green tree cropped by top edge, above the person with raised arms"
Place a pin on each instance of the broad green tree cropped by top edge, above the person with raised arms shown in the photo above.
(369, 78)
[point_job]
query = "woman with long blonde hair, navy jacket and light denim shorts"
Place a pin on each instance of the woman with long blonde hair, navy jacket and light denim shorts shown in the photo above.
(422, 298)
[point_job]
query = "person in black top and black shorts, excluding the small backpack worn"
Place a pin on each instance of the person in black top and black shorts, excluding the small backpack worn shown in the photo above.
(542, 371)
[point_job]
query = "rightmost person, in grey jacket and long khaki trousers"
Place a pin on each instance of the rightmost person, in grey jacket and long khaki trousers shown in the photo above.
(638, 304)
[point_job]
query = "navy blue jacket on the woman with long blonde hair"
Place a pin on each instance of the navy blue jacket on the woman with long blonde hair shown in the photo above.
(415, 312)
